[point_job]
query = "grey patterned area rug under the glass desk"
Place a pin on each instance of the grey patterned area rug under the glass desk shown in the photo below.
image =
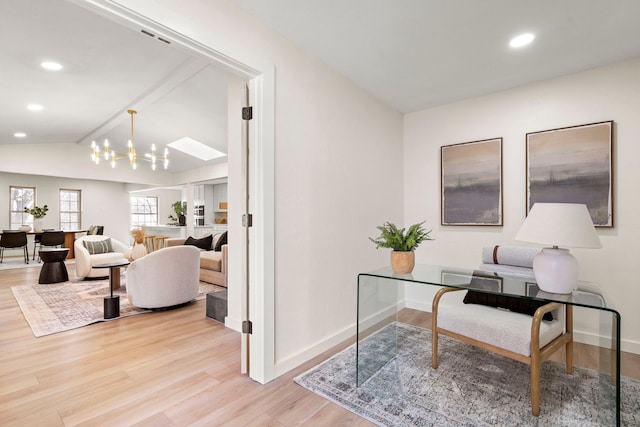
(471, 387)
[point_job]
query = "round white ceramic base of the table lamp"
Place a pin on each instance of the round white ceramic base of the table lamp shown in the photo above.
(556, 270)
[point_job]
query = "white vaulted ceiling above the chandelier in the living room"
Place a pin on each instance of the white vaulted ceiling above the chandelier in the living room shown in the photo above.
(108, 69)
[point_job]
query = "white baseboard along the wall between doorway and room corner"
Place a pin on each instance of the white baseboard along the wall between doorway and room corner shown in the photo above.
(291, 362)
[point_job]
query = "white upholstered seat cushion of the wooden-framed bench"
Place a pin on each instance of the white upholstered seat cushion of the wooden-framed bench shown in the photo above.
(501, 328)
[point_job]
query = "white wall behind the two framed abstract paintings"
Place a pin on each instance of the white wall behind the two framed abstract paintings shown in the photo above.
(608, 93)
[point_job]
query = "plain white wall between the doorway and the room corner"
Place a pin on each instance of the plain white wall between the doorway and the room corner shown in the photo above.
(338, 174)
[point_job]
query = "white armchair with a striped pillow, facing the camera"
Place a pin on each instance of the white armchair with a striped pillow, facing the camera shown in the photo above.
(86, 260)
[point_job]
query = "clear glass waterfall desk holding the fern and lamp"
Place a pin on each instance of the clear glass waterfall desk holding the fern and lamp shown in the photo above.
(381, 297)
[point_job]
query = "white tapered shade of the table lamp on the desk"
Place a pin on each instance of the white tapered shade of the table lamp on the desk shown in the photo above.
(559, 224)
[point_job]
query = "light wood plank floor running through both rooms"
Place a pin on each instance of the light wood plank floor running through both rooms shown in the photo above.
(171, 368)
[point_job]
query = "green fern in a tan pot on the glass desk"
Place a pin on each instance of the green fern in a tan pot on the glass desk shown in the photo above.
(402, 244)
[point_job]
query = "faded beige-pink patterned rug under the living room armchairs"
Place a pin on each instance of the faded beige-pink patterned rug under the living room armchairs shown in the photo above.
(50, 309)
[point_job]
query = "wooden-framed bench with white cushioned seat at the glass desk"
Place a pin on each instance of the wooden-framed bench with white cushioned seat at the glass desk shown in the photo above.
(527, 339)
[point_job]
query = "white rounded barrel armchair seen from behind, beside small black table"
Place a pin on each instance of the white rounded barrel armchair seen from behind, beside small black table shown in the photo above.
(164, 278)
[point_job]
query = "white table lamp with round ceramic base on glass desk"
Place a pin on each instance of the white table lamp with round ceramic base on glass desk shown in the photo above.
(558, 224)
